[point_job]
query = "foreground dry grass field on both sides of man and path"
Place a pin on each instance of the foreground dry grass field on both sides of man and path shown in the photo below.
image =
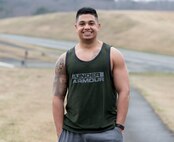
(25, 102)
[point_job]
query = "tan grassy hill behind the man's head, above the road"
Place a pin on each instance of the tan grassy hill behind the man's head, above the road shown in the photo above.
(137, 30)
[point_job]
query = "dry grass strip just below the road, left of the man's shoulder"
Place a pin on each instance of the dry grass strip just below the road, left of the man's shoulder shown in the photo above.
(35, 53)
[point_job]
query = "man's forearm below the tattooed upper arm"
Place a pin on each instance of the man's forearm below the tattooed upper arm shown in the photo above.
(58, 114)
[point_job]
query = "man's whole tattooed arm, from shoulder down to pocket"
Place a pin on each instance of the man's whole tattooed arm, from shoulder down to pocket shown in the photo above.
(59, 91)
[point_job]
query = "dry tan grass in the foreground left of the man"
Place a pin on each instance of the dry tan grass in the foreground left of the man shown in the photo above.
(25, 105)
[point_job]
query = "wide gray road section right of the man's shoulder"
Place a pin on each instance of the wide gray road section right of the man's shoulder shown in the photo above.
(142, 62)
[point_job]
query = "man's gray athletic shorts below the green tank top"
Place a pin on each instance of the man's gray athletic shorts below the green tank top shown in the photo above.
(113, 135)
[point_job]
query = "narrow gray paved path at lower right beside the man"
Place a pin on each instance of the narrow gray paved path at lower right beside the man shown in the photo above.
(143, 125)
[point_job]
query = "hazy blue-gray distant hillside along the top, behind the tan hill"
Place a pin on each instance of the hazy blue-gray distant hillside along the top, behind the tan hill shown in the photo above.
(16, 8)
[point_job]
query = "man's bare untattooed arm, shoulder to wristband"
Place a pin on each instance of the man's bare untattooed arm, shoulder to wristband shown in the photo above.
(121, 82)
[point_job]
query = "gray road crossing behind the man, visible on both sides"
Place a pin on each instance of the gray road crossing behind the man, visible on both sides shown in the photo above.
(136, 61)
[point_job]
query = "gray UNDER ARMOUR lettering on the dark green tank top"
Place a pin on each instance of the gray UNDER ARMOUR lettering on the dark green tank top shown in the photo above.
(88, 77)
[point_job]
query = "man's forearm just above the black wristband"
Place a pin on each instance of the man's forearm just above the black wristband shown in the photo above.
(122, 107)
